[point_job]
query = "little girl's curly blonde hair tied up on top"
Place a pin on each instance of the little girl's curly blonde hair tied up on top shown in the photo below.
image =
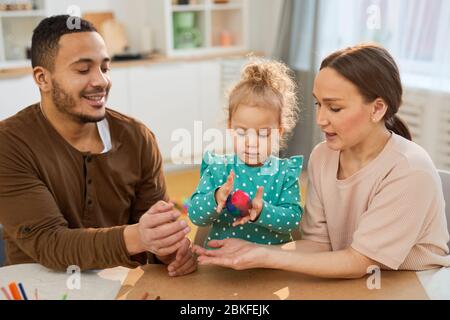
(267, 84)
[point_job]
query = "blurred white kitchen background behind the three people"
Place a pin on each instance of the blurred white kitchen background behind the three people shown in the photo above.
(175, 59)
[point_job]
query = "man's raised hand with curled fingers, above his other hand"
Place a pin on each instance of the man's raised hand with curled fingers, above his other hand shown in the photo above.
(157, 232)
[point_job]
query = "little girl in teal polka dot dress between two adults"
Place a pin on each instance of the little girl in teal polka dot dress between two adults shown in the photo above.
(262, 112)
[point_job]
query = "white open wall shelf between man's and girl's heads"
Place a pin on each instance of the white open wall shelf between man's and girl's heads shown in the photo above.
(223, 27)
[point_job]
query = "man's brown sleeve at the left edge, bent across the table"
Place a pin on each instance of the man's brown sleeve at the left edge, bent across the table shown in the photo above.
(32, 219)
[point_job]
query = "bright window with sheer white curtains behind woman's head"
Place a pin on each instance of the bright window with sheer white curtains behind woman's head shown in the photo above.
(416, 32)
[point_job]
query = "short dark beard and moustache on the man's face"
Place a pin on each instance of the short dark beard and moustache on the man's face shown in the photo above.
(64, 102)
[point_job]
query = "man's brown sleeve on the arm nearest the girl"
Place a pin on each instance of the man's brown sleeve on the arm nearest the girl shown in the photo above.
(152, 187)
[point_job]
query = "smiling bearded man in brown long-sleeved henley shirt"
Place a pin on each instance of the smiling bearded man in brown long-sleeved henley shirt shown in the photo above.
(81, 184)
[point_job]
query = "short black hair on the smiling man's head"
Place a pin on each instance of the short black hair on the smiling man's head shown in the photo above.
(44, 45)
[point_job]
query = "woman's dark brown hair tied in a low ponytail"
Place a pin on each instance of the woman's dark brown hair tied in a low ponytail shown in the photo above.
(376, 75)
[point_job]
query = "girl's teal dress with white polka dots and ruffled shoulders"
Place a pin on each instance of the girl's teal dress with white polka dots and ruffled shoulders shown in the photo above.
(281, 213)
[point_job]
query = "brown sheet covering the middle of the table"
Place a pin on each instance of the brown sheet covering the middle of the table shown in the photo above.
(215, 283)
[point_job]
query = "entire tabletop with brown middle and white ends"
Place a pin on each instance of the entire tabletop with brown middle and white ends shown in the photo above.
(219, 283)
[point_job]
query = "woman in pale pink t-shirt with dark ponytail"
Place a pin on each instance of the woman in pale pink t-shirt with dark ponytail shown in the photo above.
(374, 197)
